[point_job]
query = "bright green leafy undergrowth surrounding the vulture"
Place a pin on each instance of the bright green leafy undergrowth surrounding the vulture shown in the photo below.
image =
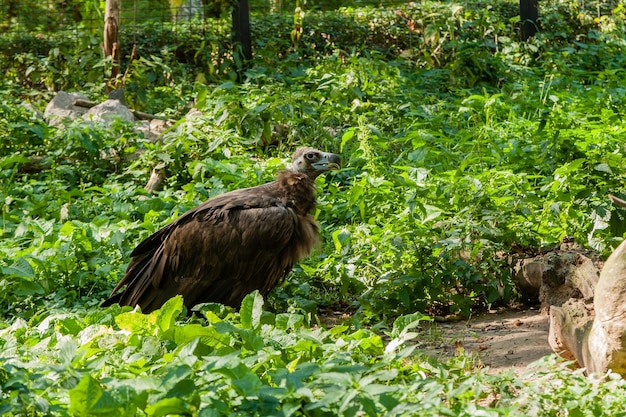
(461, 145)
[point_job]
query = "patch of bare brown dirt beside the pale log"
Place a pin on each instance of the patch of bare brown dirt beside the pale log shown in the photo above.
(501, 340)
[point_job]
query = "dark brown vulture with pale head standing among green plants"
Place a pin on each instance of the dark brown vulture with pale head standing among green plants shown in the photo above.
(230, 245)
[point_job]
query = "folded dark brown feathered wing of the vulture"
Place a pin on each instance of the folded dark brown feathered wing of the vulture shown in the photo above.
(199, 254)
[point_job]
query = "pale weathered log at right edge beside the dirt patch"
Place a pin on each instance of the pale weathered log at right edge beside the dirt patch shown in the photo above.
(587, 310)
